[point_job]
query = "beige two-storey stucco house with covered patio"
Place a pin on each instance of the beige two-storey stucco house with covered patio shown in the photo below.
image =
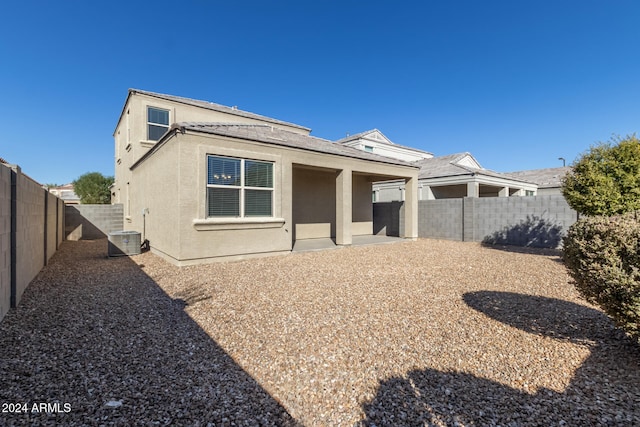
(205, 182)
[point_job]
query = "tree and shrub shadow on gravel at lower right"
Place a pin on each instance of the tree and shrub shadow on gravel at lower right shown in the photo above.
(605, 390)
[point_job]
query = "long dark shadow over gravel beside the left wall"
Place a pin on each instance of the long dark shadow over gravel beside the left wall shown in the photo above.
(102, 344)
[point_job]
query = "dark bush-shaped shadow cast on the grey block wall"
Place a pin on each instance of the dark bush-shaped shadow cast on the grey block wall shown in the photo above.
(533, 232)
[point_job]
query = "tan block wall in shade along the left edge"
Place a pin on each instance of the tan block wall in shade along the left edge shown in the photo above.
(30, 232)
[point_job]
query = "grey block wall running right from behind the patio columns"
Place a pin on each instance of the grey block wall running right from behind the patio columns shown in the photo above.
(474, 219)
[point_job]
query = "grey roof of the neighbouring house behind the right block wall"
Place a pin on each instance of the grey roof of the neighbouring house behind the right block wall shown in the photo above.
(450, 165)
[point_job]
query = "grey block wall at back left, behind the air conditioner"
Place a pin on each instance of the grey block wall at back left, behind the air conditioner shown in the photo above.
(88, 222)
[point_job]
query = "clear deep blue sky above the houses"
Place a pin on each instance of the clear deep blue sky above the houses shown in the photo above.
(516, 83)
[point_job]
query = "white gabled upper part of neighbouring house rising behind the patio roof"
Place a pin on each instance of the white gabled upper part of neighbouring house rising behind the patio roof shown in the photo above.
(373, 141)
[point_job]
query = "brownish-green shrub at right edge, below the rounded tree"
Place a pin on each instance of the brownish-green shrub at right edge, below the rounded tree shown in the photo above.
(602, 255)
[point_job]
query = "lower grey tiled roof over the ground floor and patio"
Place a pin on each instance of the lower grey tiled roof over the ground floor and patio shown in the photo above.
(275, 136)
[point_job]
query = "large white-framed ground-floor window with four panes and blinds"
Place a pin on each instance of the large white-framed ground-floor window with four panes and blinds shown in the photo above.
(239, 187)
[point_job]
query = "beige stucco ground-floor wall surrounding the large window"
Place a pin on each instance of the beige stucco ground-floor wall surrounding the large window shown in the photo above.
(171, 184)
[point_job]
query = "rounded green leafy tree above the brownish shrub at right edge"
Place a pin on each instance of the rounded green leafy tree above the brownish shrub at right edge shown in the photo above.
(606, 179)
